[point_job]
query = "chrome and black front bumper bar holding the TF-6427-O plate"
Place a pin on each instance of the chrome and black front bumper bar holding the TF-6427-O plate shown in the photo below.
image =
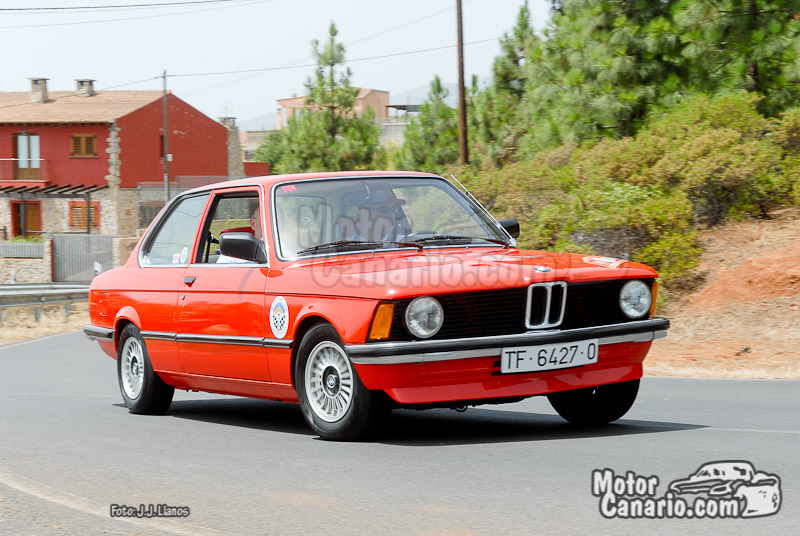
(451, 349)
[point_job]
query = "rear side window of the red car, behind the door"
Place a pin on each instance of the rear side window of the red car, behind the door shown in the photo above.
(174, 238)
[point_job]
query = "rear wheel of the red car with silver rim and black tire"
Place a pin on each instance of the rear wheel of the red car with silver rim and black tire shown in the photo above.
(143, 391)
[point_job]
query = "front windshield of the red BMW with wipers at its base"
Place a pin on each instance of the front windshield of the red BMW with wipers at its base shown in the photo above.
(332, 215)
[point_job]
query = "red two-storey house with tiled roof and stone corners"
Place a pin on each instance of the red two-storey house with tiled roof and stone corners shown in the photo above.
(62, 152)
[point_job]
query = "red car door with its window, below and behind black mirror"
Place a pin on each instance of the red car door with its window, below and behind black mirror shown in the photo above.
(221, 318)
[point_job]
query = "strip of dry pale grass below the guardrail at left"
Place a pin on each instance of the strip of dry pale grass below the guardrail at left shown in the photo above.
(19, 324)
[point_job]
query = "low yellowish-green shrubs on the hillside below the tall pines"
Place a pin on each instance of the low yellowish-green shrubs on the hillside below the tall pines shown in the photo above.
(645, 197)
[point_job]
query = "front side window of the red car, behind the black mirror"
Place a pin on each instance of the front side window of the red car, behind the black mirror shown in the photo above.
(230, 213)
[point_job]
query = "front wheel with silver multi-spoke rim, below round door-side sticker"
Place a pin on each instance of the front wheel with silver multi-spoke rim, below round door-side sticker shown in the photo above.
(323, 374)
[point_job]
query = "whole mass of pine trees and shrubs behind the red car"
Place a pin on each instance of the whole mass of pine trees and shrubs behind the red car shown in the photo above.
(622, 129)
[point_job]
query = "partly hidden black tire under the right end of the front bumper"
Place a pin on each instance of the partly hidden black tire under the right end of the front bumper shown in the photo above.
(595, 405)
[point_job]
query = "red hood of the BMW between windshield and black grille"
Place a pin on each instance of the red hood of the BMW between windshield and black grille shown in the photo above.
(388, 275)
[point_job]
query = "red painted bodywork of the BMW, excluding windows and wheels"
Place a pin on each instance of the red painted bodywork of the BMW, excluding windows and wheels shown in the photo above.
(208, 327)
